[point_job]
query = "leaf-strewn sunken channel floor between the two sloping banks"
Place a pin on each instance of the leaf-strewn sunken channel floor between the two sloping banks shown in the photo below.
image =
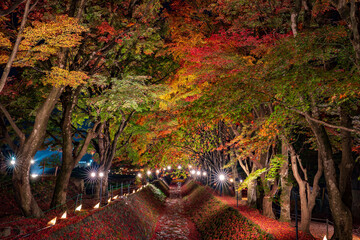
(173, 224)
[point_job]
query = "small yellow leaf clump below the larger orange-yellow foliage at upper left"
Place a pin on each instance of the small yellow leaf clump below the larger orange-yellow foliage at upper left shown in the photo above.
(61, 77)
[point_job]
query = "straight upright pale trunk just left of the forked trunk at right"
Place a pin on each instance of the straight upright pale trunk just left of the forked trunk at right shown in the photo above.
(285, 186)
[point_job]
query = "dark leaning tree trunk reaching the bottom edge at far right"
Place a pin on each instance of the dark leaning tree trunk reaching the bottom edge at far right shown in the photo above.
(341, 213)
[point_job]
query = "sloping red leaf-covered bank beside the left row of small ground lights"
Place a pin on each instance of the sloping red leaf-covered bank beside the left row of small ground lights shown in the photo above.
(132, 218)
